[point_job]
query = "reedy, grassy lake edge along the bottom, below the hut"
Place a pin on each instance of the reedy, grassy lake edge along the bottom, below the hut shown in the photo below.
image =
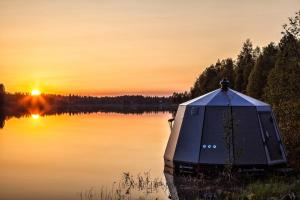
(184, 187)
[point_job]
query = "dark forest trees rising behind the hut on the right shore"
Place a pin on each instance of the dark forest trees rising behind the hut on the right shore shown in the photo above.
(270, 73)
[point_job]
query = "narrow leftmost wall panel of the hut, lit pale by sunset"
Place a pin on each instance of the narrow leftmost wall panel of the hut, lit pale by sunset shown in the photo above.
(171, 146)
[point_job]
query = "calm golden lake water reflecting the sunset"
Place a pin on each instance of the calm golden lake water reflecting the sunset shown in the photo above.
(57, 157)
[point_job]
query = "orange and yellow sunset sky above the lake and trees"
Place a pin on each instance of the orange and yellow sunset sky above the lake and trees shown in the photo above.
(110, 47)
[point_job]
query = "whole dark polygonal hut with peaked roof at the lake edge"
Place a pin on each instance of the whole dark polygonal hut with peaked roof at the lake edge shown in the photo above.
(222, 127)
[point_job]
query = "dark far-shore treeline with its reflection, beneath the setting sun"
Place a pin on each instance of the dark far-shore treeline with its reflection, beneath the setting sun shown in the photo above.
(20, 104)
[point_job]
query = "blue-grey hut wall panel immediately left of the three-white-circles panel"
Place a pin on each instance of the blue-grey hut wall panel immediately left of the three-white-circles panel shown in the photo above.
(188, 145)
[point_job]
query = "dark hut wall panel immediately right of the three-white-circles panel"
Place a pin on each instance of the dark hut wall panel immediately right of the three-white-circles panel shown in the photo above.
(248, 143)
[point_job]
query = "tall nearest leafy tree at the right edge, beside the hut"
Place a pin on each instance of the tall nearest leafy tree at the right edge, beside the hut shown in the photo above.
(283, 89)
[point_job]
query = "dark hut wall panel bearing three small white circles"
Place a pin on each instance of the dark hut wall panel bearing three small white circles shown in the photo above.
(214, 149)
